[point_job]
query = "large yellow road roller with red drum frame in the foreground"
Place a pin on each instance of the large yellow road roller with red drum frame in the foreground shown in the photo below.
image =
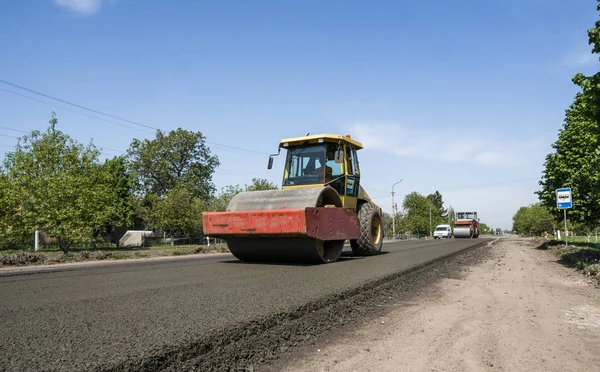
(319, 207)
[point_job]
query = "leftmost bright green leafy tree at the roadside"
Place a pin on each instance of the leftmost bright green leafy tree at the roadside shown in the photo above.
(57, 186)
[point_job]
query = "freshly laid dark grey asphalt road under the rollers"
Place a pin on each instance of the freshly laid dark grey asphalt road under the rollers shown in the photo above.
(106, 316)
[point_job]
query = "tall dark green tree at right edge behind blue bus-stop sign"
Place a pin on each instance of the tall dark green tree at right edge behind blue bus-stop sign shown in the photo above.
(575, 161)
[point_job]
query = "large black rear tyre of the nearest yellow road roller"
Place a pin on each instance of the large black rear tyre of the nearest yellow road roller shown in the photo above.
(370, 240)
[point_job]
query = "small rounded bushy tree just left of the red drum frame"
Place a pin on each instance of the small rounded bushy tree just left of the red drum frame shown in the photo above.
(178, 213)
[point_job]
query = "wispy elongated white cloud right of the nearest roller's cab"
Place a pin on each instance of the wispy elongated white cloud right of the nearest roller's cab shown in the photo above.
(450, 145)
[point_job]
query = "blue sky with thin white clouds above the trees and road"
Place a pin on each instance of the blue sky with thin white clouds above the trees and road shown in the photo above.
(464, 97)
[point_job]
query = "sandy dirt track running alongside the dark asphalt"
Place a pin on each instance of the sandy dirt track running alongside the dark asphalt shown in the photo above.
(517, 311)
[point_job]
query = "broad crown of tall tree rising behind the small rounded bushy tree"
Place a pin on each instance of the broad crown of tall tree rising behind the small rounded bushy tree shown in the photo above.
(177, 159)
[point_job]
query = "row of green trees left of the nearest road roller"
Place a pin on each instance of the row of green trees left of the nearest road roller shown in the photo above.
(55, 185)
